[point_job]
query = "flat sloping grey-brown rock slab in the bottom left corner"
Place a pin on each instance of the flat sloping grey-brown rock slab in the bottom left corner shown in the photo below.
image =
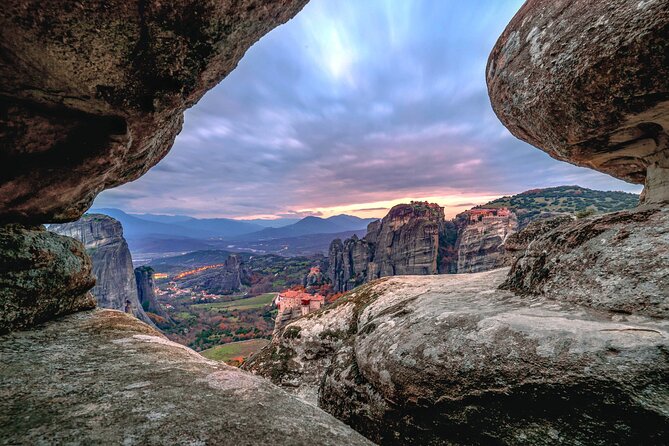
(59, 381)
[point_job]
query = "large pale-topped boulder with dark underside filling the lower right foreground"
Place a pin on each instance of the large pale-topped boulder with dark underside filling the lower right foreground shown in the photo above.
(450, 360)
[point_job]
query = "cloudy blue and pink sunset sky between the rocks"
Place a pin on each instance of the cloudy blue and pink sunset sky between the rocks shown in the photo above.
(351, 107)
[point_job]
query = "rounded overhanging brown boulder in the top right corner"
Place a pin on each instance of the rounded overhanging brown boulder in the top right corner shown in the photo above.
(587, 81)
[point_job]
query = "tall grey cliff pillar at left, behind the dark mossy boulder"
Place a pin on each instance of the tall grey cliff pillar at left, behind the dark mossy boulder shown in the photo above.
(112, 264)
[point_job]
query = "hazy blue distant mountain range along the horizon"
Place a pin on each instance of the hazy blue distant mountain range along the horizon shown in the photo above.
(172, 233)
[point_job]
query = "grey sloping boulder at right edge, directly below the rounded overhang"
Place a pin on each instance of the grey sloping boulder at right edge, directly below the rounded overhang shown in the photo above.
(616, 261)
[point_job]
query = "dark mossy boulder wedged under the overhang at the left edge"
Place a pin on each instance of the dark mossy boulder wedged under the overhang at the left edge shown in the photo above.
(42, 275)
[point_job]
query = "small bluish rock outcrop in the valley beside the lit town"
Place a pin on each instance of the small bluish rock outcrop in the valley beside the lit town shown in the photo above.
(224, 280)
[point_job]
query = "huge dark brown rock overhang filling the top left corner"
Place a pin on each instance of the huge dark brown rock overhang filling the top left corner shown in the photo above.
(92, 94)
